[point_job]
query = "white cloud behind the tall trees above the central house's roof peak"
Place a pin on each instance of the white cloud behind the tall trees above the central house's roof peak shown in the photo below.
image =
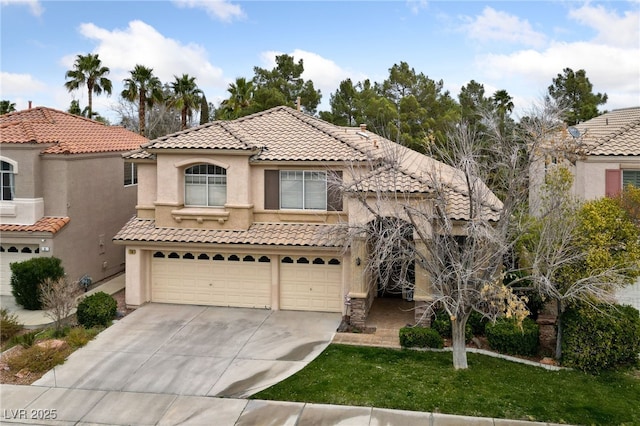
(325, 73)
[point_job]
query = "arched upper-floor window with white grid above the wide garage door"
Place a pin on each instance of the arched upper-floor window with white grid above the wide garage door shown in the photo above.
(205, 185)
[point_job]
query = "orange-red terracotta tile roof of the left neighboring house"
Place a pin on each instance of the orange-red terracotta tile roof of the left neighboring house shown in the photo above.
(66, 133)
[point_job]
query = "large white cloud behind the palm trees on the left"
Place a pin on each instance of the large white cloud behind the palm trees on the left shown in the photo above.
(140, 43)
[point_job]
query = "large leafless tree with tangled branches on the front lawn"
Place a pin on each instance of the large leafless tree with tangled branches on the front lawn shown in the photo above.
(439, 219)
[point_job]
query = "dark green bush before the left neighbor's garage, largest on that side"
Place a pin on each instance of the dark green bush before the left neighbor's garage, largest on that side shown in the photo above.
(27, 276)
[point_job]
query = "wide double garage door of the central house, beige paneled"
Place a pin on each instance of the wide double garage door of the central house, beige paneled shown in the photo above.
(215, 279)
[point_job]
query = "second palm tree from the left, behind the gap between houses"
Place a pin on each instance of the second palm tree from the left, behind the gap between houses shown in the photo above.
(144, 87)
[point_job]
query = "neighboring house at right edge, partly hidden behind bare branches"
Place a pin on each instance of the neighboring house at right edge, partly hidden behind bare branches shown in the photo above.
(608, 159)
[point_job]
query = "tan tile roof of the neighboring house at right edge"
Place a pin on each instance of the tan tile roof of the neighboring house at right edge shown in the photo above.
(613, 133)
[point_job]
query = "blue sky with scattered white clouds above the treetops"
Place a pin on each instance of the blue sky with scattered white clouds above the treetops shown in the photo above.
(518, 46)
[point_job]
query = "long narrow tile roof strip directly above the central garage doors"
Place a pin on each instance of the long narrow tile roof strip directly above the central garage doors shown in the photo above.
(280, 234)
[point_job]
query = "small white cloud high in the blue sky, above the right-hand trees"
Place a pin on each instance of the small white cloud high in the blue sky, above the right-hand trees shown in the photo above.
(493, 25)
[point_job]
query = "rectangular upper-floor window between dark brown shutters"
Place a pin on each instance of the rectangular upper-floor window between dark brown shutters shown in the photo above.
(303, 190)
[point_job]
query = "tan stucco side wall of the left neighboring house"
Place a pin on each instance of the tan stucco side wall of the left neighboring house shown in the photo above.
(90, 190)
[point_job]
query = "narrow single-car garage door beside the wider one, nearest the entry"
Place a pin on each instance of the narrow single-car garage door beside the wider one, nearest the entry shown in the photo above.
(311, 284)
